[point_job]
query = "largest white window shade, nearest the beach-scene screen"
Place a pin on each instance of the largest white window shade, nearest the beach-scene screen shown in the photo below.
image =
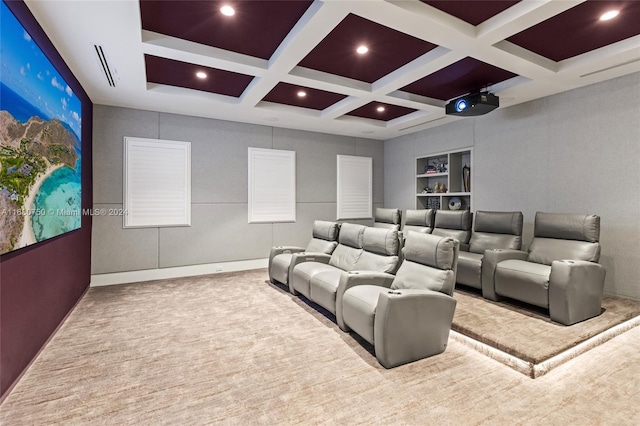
(157, 183)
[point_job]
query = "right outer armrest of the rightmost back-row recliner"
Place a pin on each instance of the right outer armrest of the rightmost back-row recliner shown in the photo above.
(575, 290)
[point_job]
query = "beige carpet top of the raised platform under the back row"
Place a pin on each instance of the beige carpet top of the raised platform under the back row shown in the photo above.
(527, 332)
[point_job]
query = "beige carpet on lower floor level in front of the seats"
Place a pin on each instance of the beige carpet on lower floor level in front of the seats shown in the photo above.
(233, 349)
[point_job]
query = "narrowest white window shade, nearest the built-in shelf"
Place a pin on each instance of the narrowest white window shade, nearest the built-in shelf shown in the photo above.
(355, 187)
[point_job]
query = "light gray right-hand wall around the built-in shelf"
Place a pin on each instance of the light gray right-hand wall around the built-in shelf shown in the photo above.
(575, 152)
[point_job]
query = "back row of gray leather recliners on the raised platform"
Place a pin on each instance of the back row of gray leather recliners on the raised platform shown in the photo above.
(559, 271)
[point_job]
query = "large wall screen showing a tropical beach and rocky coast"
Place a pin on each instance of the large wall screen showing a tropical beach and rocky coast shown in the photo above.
(40, 143)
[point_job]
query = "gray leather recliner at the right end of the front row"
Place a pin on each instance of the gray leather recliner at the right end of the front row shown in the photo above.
(412, 319)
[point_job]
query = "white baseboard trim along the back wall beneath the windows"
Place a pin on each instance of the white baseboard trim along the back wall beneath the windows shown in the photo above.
(176, 272)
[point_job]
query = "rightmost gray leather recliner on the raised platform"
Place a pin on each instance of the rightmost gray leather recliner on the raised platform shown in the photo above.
(559, 272)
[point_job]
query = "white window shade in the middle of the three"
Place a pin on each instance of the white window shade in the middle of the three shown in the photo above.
(272, 185)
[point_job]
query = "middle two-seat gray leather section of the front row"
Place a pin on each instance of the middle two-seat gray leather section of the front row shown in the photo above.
(364, 254)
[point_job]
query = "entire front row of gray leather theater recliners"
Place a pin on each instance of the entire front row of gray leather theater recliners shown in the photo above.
(405, 309)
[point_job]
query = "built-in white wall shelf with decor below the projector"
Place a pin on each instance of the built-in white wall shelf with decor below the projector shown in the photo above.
(443, 180)
